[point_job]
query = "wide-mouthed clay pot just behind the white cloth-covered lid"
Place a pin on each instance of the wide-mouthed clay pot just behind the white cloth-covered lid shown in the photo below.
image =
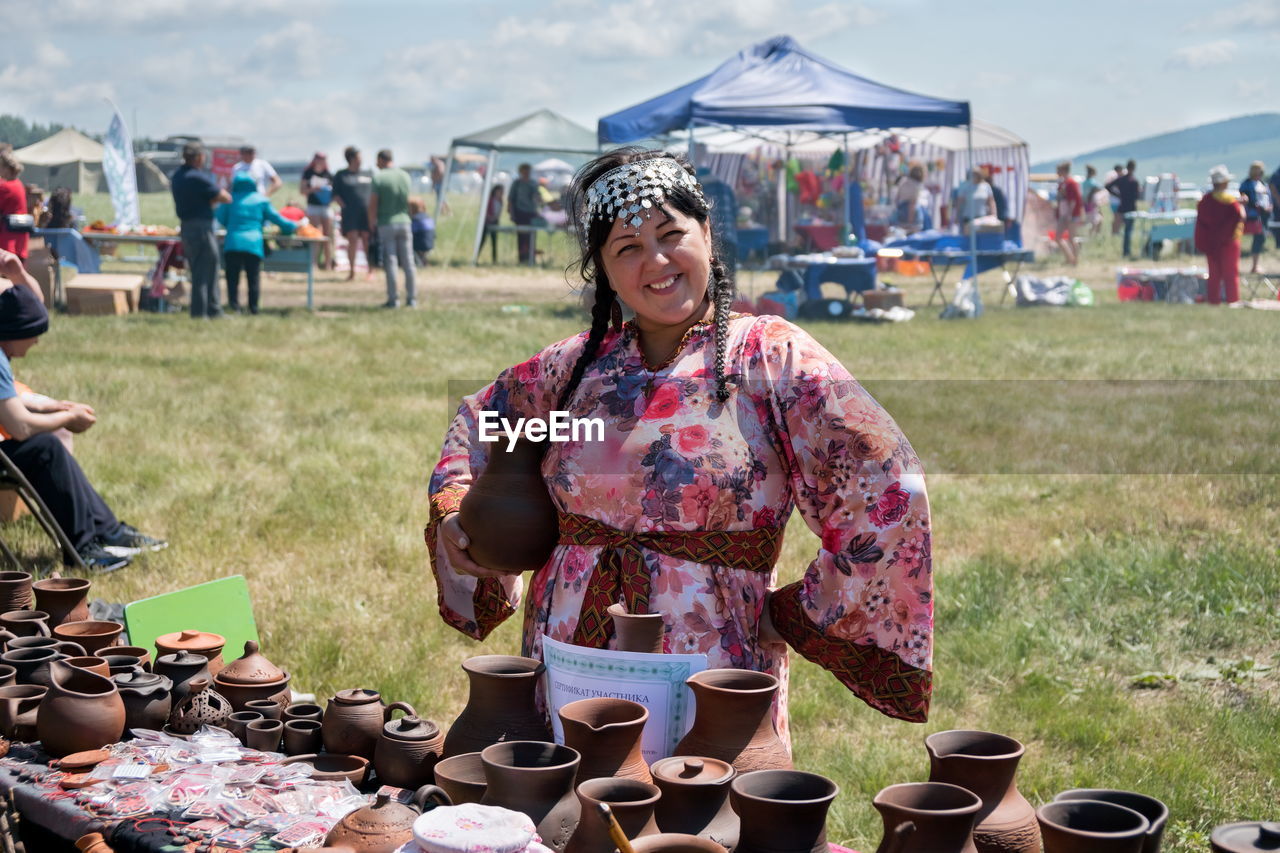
(537, 779)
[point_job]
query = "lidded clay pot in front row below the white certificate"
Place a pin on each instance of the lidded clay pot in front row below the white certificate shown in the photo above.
(696, 799)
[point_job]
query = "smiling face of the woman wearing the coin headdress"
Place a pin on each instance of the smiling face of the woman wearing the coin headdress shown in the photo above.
(660, 270)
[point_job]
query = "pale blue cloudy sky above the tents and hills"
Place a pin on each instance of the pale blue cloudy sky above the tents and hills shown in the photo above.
(295, 76)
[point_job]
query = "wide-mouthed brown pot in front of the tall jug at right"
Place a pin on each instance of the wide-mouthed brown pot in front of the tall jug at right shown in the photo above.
(944, 816)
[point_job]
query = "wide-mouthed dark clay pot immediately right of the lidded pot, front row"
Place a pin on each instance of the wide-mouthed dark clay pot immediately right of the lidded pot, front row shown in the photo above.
(783, 811)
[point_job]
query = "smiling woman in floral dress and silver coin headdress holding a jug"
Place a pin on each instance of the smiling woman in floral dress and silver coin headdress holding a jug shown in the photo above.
(716, 428)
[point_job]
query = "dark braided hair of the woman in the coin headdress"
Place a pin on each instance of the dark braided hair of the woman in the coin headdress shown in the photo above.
(589, 267)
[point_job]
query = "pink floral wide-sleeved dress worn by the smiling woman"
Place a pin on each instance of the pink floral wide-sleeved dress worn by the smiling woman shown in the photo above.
(798, 432)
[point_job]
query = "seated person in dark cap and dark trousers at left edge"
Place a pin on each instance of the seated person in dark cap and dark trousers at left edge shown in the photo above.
(104, 542)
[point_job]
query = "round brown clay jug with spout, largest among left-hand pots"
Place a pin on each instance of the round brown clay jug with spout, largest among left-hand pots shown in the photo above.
(81, 711)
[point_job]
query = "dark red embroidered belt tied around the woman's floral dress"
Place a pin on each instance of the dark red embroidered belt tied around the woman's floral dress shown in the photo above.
(621, 573)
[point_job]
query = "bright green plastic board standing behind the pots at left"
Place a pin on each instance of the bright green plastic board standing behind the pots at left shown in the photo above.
(220, 606)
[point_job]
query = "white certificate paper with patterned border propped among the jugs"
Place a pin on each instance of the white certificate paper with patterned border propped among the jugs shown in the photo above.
(657, 682)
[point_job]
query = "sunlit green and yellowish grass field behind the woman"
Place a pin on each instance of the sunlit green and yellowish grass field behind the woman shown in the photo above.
(1118, 614)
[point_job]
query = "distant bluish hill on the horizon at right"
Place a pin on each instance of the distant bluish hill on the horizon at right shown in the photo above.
(1192, 152)
